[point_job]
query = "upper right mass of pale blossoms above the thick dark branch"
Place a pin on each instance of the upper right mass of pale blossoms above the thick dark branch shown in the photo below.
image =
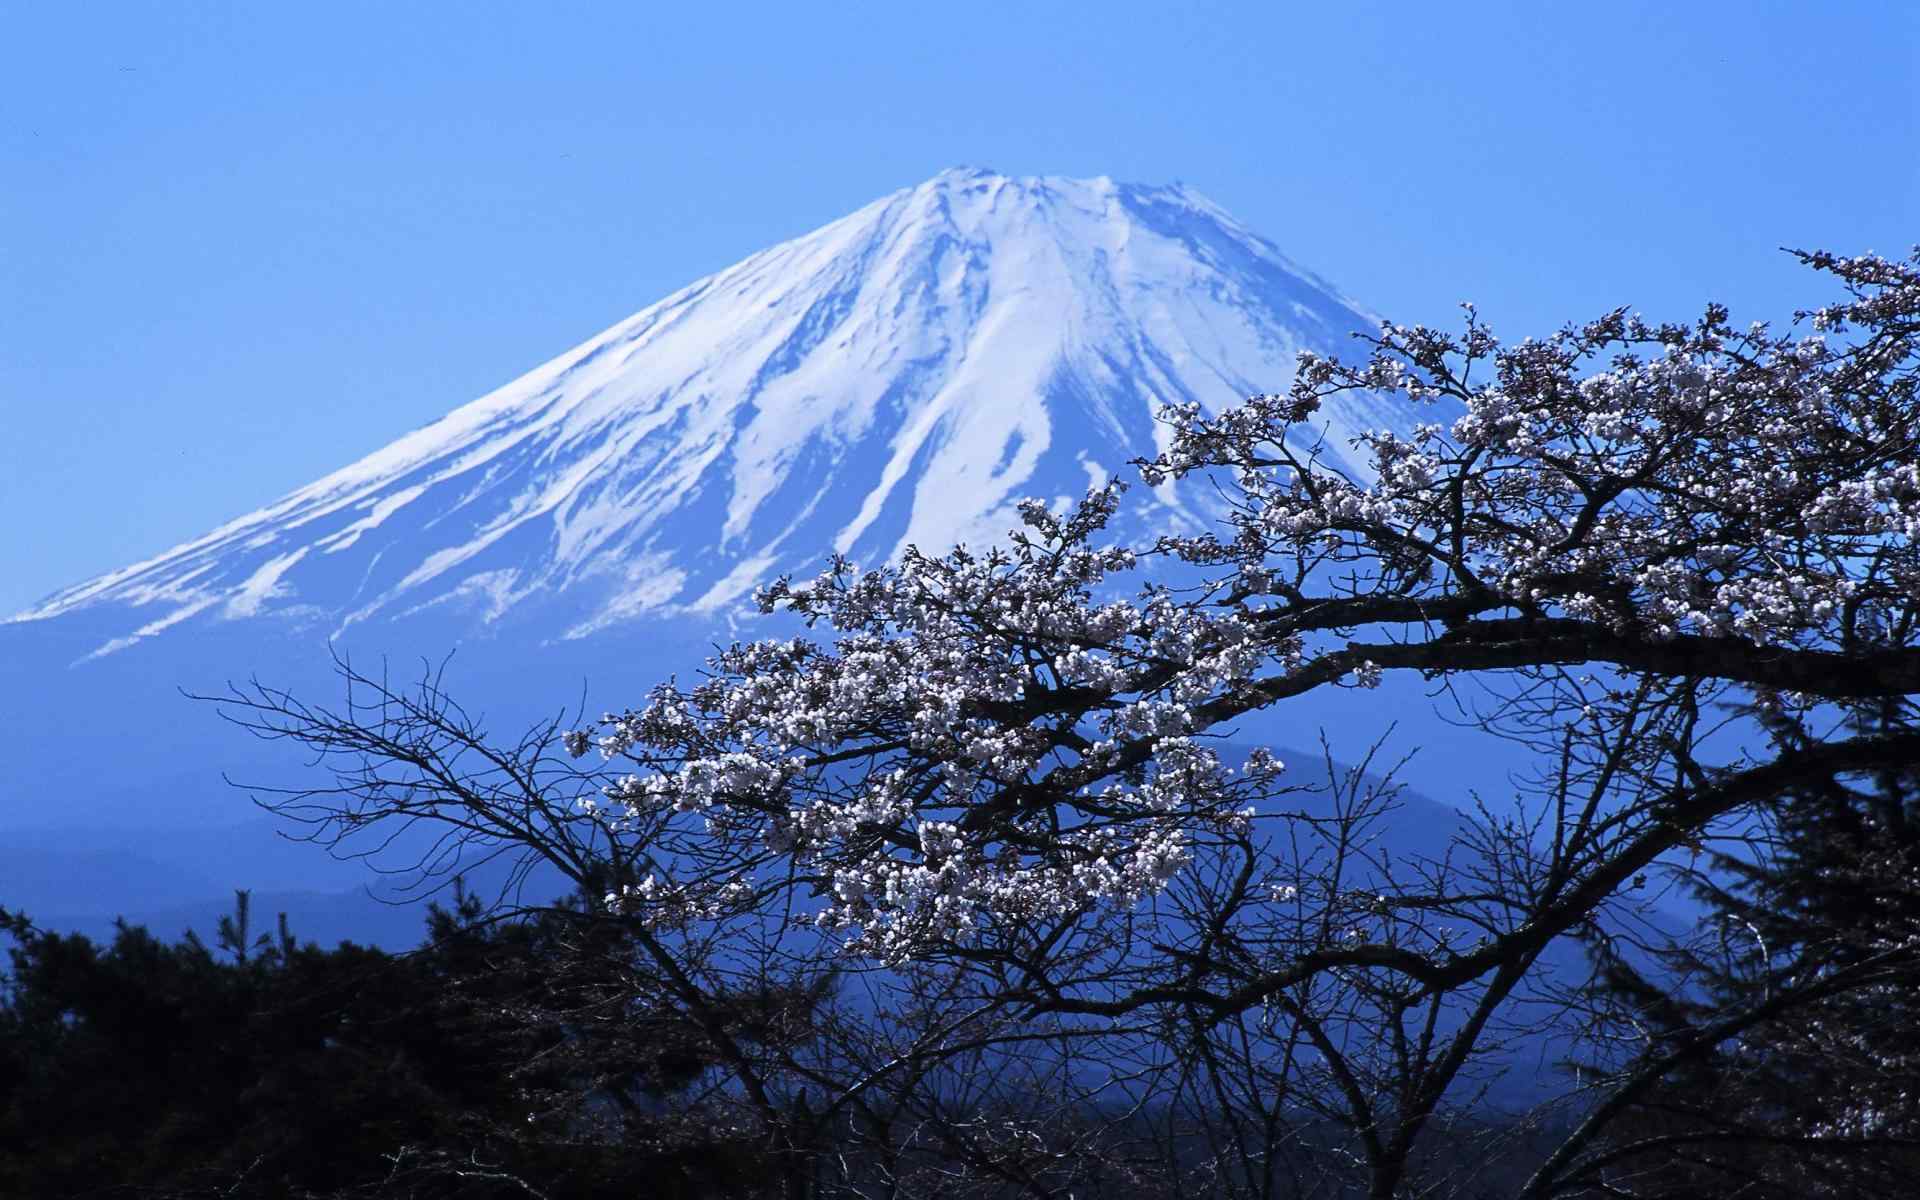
(1660, 481)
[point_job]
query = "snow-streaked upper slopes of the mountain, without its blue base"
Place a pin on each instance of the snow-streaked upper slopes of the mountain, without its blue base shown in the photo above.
(898, 377)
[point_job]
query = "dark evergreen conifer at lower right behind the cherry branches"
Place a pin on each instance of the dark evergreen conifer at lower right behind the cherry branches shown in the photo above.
(1785, 1045)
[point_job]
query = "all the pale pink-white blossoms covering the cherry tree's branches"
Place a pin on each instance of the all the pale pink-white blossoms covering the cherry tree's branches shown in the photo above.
(1015, 734)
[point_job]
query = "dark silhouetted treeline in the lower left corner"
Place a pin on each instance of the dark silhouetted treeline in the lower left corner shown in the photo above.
(496, 1061)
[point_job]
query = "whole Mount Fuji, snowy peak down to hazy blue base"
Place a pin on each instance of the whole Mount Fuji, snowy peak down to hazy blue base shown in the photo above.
(900, 377)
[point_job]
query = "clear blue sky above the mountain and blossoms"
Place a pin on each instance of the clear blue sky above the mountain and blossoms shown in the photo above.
(245, 245)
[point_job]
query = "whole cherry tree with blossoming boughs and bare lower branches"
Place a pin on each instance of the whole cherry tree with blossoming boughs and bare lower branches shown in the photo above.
(1671, 562)
